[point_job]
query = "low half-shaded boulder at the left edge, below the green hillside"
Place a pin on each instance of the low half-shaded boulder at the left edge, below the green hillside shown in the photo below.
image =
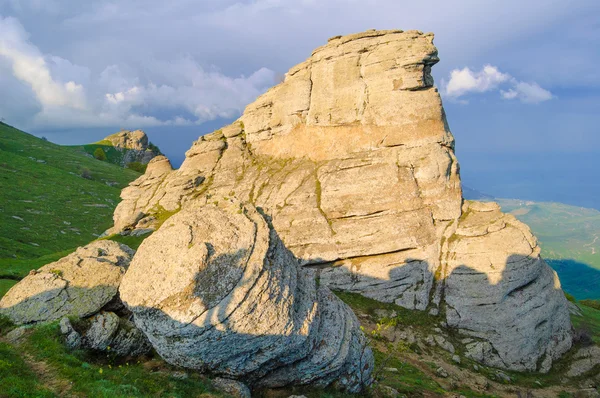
(79, 284)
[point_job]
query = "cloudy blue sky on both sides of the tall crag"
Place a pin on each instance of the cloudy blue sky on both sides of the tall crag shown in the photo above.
(519, 80)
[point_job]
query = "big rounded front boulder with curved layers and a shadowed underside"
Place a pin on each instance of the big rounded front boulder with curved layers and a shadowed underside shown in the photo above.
(214, 289)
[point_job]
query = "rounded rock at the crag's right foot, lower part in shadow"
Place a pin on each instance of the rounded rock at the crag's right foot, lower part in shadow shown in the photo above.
(495, 287)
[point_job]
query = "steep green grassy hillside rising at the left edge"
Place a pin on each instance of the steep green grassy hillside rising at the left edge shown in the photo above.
(52, 199)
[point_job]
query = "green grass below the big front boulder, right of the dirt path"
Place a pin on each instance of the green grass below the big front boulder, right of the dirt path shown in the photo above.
(102, 376)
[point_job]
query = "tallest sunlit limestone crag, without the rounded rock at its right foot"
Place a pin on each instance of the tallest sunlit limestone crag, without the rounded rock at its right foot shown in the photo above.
(352, 158)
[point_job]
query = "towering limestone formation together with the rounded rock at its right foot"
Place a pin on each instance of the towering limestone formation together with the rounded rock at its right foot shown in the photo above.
(353, 160)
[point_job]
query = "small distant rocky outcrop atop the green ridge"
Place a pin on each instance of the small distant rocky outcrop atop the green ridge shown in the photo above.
(134, 145)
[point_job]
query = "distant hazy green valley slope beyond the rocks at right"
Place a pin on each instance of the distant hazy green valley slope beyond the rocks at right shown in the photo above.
(570, 241)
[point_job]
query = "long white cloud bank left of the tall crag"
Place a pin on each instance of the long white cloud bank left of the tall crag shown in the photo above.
(71, 95)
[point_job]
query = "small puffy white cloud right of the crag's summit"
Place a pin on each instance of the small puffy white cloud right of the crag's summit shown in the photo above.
(465, 81)
